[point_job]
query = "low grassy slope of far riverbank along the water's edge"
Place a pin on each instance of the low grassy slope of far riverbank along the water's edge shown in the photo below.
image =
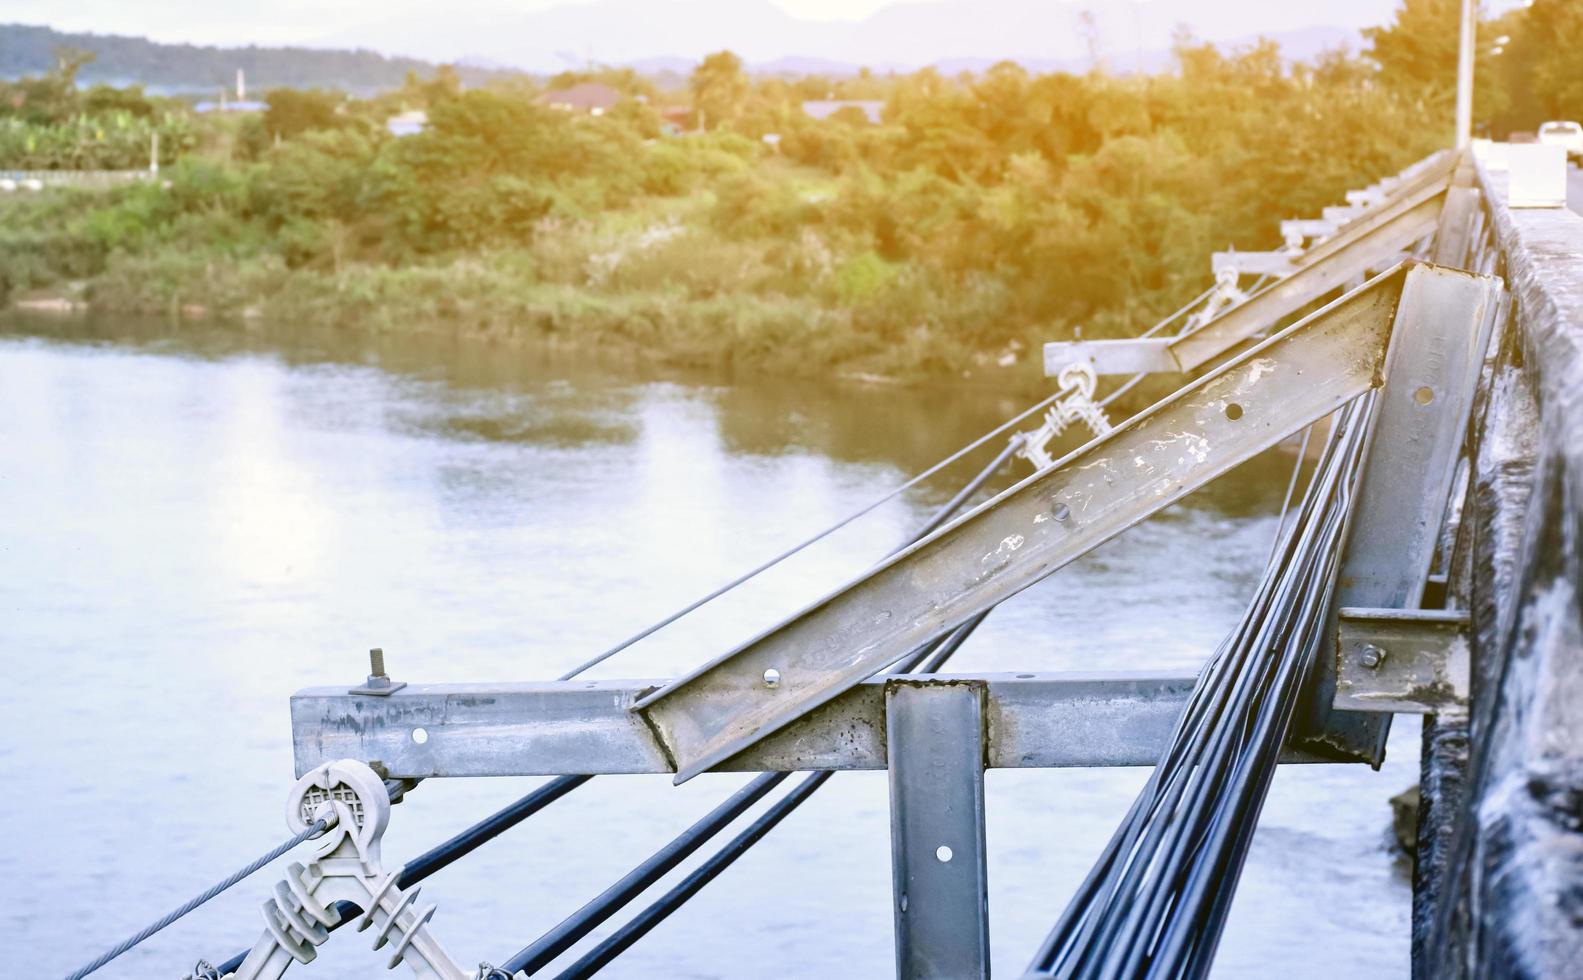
(498, 297)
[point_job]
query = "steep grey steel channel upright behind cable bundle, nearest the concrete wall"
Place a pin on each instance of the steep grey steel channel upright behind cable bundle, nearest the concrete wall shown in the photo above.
(1419, 430)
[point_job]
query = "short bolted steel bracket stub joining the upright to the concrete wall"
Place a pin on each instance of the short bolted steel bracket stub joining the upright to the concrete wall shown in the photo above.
(1403, 661)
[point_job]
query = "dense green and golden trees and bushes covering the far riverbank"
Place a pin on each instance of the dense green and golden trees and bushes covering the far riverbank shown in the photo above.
(982, 216)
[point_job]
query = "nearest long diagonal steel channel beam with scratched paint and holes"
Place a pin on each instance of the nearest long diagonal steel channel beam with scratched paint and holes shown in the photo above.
(1028, 533)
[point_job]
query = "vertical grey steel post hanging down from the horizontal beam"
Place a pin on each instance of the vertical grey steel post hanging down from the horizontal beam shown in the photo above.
(935, 735)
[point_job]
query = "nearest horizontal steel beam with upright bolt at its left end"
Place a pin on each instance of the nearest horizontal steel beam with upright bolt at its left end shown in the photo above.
(587, 727)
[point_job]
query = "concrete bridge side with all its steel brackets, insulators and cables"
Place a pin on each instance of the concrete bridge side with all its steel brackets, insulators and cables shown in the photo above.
(1432, 568)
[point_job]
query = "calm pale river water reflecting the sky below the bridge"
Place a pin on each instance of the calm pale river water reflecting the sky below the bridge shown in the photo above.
(200, 522)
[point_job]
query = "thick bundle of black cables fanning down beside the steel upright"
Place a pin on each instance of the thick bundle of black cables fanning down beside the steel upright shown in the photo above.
(1156, 902)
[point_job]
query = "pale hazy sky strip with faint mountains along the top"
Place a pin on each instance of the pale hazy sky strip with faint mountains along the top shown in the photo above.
(518, 32)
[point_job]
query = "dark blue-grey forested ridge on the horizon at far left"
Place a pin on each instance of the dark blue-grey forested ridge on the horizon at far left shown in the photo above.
(26, 50)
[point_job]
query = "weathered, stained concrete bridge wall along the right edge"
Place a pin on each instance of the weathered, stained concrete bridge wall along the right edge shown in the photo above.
(1522, 898)
